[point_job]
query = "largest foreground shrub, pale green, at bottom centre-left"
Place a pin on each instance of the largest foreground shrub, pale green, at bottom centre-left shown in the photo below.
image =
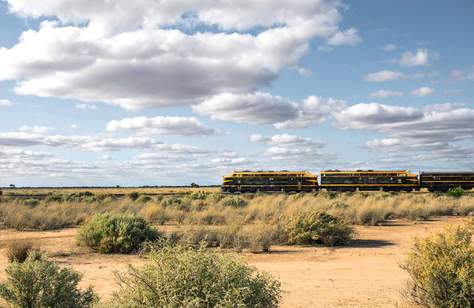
(186, 277)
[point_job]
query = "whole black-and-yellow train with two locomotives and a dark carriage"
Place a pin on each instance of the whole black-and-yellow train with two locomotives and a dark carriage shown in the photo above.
(345, 180)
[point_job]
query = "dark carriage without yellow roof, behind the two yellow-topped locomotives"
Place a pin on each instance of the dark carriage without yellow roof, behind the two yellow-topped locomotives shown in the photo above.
(444, 181)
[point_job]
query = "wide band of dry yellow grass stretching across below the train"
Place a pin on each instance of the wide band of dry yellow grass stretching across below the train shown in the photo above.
(202, 208)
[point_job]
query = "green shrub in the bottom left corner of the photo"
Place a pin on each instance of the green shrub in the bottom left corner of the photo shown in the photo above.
(41, 283)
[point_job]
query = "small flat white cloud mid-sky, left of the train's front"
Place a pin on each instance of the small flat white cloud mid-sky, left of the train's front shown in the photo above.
(161, 125)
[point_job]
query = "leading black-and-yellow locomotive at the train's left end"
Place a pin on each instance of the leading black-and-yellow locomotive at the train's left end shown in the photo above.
(254, 181)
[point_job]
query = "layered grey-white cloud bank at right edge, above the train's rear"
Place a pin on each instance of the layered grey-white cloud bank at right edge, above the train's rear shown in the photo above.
(431, 132)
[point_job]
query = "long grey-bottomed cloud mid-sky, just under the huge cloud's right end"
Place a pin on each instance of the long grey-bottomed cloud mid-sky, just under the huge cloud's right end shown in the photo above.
(264, 108)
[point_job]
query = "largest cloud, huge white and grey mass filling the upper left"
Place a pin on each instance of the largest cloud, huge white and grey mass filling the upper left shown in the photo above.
(154, 53)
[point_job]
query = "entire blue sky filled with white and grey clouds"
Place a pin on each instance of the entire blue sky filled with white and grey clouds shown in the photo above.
(147, 92)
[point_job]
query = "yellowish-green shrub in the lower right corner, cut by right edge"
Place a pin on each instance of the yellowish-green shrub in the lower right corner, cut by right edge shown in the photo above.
(441, 268)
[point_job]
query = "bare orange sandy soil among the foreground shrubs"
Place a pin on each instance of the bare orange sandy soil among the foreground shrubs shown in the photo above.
(366, 274)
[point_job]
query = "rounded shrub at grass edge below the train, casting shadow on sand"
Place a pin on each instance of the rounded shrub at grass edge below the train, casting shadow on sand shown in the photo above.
(317, 228)
